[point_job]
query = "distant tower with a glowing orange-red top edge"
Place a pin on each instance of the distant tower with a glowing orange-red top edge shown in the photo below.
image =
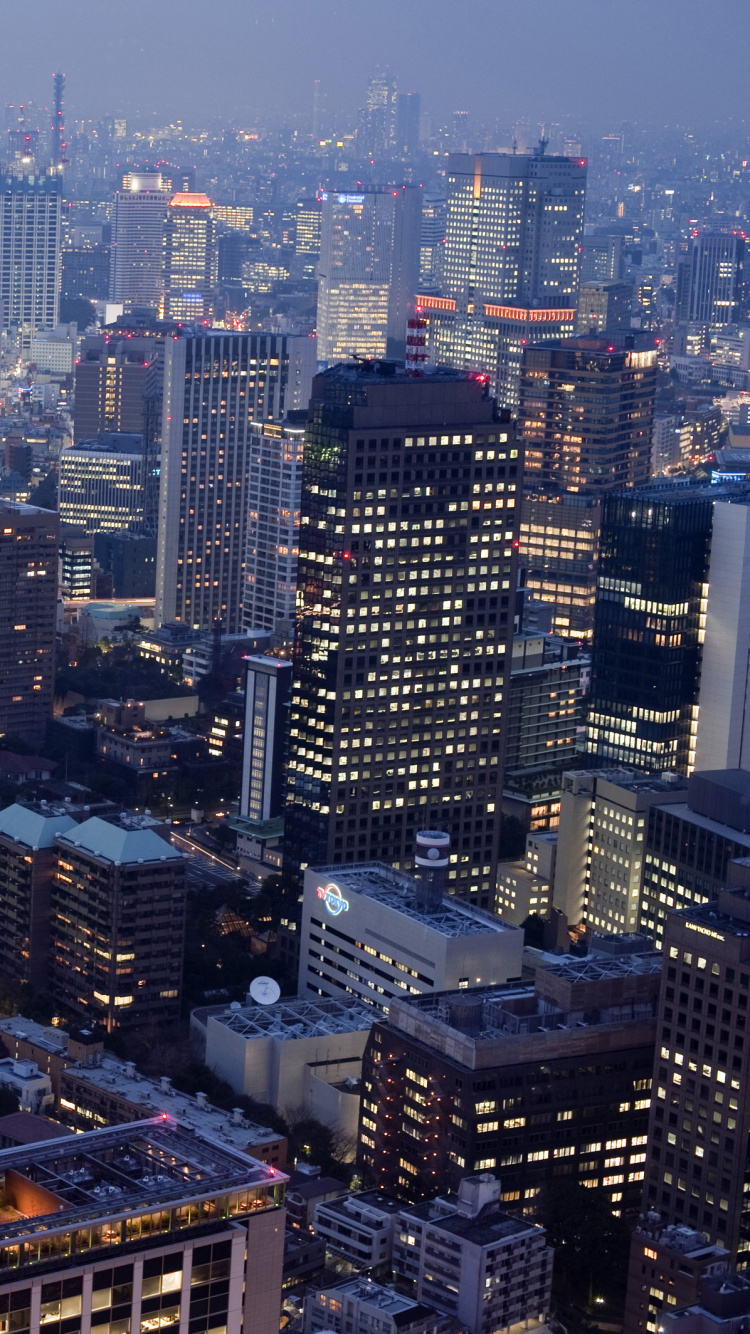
(190, 271)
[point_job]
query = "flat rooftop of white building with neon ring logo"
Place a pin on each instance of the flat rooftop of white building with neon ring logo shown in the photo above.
(398, 892)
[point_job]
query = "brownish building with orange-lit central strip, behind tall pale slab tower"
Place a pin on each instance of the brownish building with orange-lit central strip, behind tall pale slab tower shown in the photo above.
(110, 386)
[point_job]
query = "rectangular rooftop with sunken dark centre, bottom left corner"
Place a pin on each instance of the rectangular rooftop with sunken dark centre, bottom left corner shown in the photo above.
(125, 1171)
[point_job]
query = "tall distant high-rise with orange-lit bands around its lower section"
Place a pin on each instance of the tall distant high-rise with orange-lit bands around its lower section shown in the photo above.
(510, 275)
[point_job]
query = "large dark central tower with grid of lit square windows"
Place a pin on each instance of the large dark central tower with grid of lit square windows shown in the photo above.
(409, 509)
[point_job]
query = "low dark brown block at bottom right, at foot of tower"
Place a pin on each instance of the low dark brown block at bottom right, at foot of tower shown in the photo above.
(669, 1265)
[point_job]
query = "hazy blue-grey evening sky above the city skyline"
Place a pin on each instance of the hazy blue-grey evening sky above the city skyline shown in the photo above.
(601, 61)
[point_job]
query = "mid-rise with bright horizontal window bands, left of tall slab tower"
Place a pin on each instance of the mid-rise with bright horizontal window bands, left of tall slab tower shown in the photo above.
(102, 484)
